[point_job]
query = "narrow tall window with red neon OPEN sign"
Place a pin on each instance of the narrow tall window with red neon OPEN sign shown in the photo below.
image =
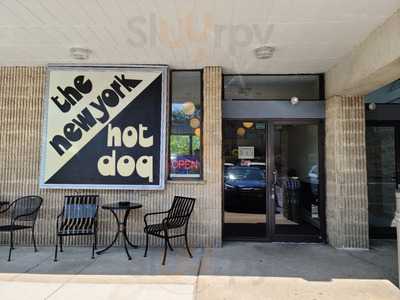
(185, 145)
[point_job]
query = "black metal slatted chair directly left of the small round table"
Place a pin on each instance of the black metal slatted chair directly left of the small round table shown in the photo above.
(78, 218)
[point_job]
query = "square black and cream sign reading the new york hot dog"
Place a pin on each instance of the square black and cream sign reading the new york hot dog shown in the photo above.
(104, 127)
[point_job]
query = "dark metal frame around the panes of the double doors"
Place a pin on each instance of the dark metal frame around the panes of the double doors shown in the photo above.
(270, 215)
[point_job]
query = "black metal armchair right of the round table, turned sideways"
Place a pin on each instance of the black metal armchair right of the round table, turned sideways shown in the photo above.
(177, 218)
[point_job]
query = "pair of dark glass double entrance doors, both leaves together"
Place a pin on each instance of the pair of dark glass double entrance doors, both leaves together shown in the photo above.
(272, 185)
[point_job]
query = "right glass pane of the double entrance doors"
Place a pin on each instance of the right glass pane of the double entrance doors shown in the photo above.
(296, 181)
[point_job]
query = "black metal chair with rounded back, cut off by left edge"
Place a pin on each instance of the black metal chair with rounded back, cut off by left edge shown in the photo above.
(23, 214)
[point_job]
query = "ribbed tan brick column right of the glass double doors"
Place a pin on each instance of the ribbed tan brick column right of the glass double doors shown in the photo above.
(346, 173)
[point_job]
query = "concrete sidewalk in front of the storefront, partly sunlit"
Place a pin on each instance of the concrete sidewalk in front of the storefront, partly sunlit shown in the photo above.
(236, 271)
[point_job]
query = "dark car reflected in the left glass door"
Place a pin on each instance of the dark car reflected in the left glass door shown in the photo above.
(244, 189)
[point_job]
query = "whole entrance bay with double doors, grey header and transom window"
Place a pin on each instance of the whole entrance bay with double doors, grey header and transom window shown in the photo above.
(273, 162)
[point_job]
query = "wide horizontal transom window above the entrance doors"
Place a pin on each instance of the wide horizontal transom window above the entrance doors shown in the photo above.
(272, 87)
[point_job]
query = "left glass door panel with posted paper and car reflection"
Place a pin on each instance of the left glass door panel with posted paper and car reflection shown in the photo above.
(245, 183)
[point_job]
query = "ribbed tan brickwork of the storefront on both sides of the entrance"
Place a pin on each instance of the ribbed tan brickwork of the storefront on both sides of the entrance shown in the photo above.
(22, 107)
